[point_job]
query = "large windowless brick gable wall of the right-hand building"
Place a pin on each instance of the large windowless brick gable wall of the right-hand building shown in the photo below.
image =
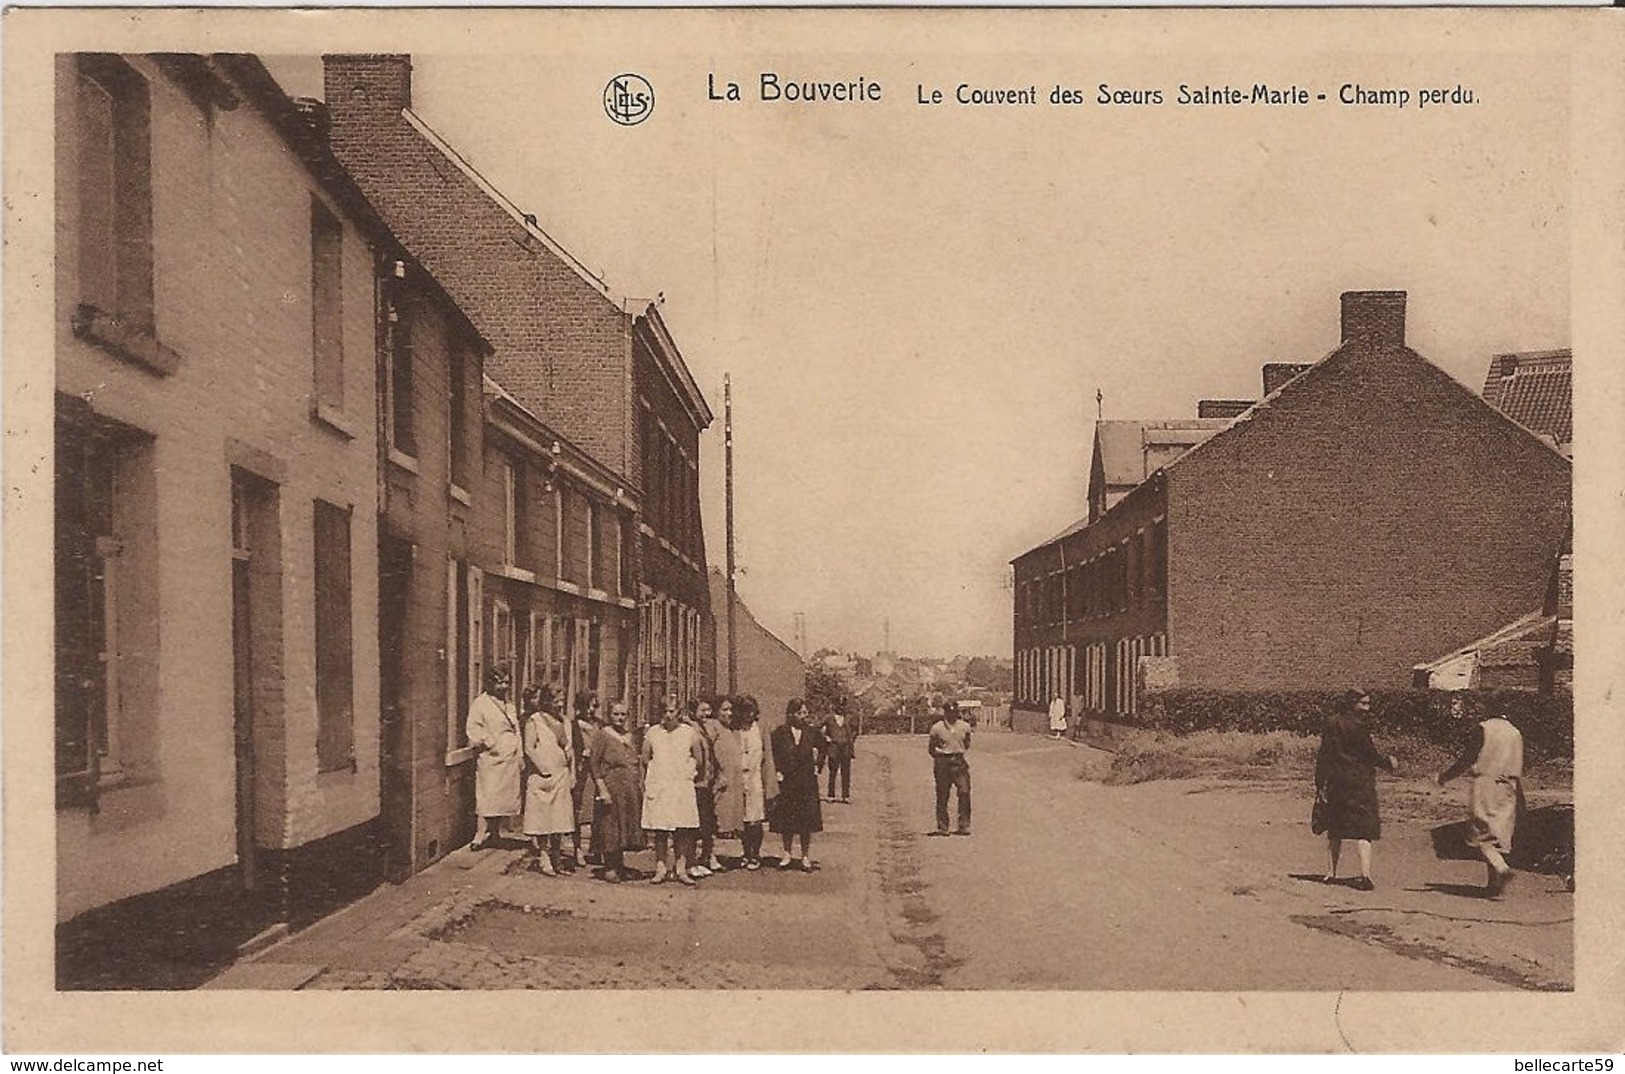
(1374, 518)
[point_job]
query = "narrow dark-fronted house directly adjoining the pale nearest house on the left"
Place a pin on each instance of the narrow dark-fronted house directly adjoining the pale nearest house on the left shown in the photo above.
(433, 496)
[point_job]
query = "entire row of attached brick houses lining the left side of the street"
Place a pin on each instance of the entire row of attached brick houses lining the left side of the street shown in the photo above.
(262, 368)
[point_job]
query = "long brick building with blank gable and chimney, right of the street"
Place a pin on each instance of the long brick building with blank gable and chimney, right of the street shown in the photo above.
(1369, 514)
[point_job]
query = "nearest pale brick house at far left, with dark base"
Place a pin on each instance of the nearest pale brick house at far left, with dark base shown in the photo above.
(217, 508)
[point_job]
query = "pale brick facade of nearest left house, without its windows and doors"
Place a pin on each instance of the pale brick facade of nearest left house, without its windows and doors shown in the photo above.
(232, 282)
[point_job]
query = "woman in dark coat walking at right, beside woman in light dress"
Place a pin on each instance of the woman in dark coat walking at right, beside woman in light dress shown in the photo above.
(1346, 786)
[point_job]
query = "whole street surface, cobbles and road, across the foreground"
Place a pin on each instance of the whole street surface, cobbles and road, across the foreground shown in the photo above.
(1065, 885)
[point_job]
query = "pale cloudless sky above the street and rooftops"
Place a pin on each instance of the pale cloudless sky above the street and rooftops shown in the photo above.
(919, 305)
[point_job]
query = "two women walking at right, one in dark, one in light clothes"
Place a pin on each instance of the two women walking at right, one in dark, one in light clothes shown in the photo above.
(1346, 790)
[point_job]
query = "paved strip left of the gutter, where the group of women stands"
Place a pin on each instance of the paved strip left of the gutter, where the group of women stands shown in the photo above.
(483, 920)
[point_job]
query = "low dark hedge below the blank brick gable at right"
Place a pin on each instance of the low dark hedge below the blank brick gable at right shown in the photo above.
(1548, 722)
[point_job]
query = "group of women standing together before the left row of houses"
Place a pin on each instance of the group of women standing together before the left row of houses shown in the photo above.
(696, 776)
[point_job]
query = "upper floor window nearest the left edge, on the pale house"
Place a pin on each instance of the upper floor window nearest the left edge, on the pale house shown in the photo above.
(116, 191)
